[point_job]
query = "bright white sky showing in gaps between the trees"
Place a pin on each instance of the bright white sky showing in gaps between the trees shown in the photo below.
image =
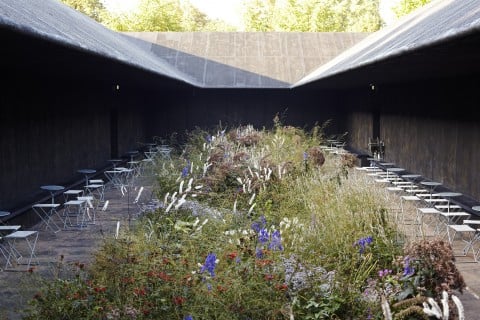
(230, 10)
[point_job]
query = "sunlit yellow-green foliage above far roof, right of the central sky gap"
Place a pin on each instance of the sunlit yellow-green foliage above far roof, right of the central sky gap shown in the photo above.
(312, 15)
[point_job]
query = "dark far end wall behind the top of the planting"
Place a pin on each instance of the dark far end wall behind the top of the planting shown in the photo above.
(208, 108)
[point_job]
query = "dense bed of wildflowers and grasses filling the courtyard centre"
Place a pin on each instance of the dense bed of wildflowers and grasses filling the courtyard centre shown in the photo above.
(258, 224)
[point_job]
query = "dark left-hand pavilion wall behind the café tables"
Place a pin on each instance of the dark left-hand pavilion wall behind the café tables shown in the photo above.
(51, 127)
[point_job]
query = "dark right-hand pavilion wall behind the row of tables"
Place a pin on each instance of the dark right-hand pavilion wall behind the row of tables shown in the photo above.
(429, 127)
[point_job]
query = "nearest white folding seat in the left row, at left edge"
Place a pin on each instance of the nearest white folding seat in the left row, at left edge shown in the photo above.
(14, 250)
